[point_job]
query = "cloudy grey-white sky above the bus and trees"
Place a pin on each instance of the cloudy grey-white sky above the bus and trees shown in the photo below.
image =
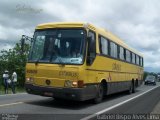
(136, 22)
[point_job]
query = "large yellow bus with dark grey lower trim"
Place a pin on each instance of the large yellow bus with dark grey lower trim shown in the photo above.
(79, 61)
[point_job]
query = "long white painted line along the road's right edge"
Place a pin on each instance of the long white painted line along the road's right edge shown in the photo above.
(116, 105)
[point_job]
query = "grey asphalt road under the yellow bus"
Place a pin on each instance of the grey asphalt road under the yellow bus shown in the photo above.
(25, 106)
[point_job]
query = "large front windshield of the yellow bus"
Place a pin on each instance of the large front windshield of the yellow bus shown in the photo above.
(61, 46)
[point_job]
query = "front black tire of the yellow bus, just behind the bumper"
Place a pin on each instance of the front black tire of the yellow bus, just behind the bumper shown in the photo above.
(100, 94)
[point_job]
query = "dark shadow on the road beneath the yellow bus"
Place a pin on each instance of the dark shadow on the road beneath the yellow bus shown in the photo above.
(74, 105)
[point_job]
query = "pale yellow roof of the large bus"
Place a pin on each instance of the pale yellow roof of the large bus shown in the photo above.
(101, 31)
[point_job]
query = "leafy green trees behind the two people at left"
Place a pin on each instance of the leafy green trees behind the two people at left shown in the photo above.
(14, 60)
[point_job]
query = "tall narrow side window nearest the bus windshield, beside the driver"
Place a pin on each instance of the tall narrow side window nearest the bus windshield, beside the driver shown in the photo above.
(91, 47)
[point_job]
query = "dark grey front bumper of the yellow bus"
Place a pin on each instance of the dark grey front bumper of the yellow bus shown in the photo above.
(77, 94)
